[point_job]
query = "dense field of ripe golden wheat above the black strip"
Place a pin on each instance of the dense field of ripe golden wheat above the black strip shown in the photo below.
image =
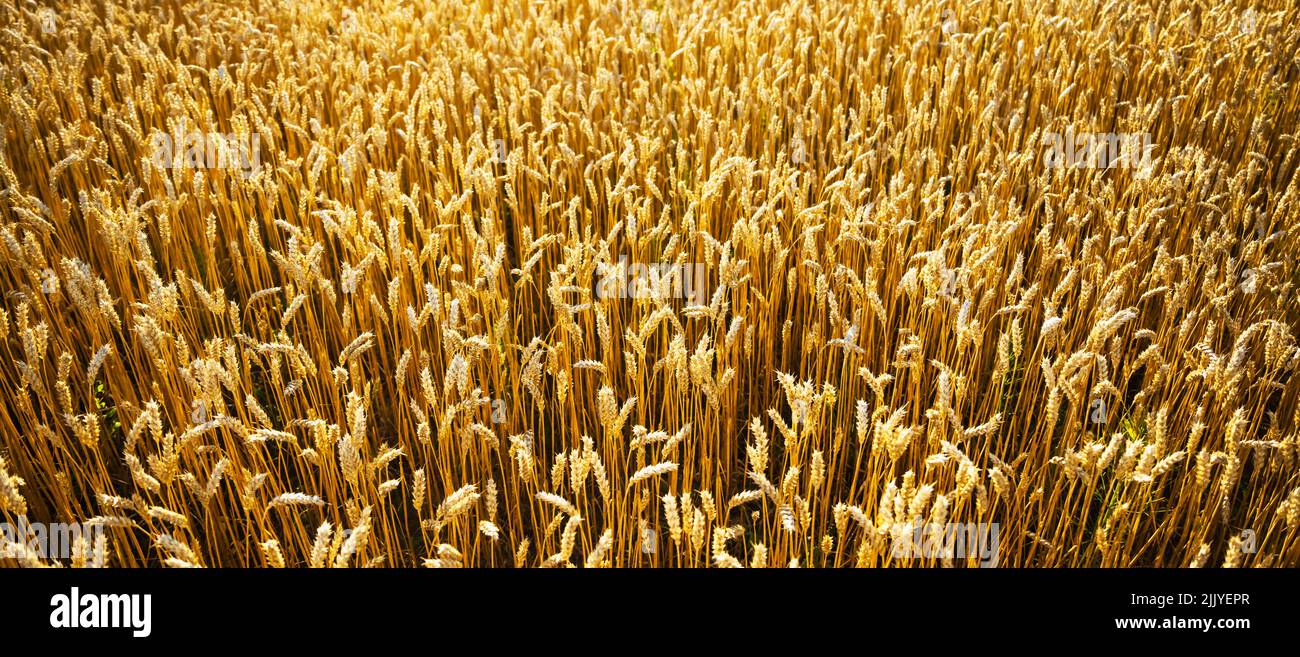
(660, 284)
